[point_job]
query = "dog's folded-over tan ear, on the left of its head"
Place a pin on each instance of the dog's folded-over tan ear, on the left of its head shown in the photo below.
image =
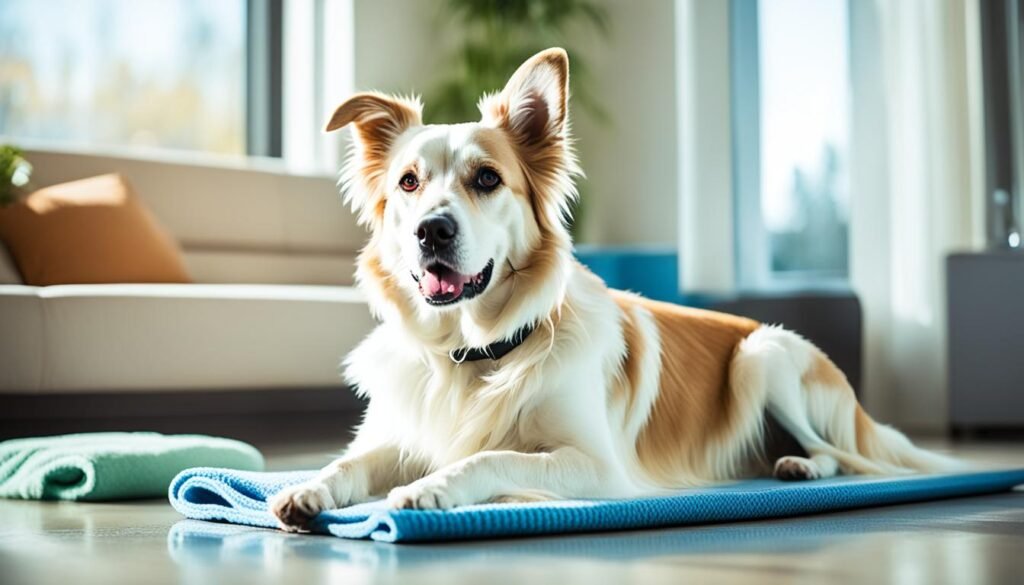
(377, 121)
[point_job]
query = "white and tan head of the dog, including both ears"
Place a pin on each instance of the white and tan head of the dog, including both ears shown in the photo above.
(456, 208)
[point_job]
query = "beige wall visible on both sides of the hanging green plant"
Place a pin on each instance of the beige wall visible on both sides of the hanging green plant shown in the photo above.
(631, 164)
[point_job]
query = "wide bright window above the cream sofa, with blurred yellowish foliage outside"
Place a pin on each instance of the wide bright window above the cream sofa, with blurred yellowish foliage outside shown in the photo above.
(152, 73)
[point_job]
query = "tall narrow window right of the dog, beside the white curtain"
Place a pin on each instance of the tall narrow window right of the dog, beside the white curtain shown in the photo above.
(791, 79)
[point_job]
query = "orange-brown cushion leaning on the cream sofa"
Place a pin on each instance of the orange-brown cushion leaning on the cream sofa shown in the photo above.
(90, 231)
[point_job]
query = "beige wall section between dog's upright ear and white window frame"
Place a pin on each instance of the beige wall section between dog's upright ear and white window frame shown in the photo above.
(631, 165)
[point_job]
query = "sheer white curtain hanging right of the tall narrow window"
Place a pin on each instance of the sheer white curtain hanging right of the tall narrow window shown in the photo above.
(918, 193)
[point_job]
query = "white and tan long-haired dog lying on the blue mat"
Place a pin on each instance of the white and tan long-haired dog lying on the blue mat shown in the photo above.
(504, 371)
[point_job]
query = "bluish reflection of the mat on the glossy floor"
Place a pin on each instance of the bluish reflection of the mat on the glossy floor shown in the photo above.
(198, 544)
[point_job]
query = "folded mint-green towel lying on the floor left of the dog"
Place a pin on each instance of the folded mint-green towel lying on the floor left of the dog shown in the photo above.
(100, 467)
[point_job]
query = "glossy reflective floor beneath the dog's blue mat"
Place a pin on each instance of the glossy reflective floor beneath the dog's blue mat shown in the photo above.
(971, 541)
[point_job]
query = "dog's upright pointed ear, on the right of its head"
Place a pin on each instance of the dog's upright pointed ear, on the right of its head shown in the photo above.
(534, 106)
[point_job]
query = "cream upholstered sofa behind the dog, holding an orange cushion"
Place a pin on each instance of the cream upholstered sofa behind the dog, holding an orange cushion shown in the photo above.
(274, 308)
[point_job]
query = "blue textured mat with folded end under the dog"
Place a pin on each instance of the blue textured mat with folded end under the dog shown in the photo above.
(240, 497)
